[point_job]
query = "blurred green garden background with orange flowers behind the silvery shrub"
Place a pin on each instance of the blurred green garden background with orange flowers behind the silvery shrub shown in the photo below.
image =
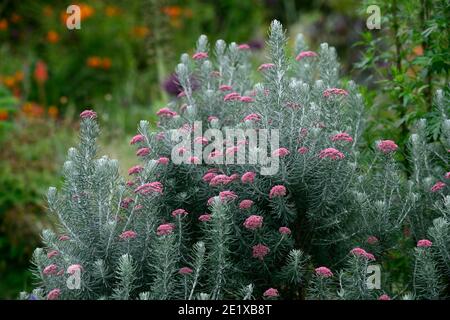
(120, 63)
